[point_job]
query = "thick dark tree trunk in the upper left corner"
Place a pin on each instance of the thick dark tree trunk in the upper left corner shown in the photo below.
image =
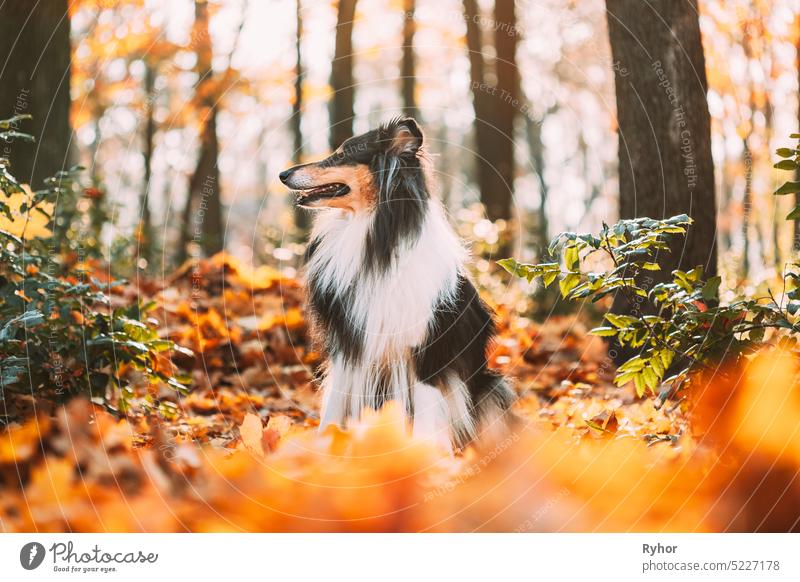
(34, 79)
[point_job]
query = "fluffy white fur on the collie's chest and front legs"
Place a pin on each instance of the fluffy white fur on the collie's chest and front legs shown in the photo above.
(390, 311)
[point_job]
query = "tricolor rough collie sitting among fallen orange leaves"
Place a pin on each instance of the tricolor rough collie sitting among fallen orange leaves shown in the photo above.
(389, 297)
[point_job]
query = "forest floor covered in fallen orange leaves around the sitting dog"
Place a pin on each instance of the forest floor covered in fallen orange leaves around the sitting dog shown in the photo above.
(241, 450)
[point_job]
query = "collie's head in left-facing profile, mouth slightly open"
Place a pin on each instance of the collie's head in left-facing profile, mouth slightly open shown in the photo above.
(351, 178)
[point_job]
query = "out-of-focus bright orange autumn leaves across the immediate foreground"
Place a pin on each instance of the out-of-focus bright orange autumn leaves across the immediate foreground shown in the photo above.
(737, 471)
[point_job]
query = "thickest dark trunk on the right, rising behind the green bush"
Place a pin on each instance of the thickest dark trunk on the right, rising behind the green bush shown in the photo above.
(665, 165)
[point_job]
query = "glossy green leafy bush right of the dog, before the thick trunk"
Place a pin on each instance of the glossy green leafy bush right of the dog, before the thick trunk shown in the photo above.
(678, 325)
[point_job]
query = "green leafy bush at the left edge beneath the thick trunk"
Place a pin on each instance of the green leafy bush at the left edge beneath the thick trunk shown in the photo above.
(59, 335)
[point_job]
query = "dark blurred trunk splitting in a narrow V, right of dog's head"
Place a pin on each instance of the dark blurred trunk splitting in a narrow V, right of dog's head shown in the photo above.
(496, 107)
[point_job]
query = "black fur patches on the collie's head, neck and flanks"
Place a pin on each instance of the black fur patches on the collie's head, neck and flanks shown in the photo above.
(462, 328)
